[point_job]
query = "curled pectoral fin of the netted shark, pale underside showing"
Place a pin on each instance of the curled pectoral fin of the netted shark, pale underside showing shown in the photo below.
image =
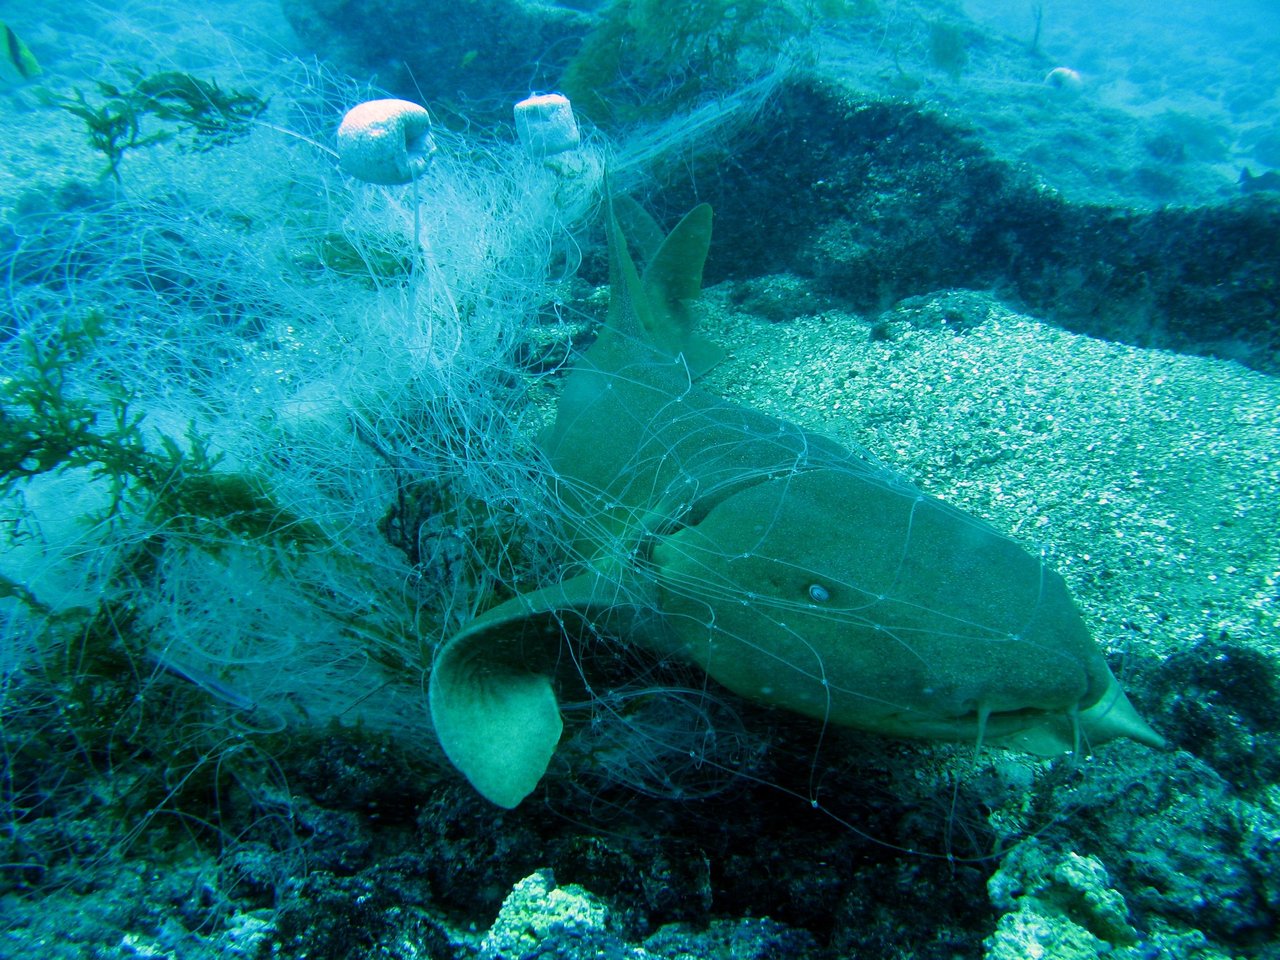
(491, 692)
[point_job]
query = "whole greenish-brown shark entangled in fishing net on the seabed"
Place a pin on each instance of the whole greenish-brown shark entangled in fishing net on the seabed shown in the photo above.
(794, 572)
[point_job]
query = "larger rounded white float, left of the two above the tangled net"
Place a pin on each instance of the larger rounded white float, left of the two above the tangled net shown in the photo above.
(386, 141)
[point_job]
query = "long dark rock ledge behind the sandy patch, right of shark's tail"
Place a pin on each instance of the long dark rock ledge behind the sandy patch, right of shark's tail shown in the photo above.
(880, 200)
